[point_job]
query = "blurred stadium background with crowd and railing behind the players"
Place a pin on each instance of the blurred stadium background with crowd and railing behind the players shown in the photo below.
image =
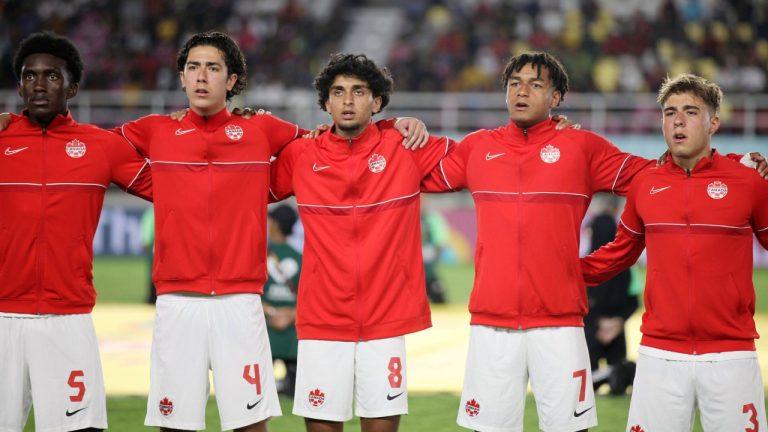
(446, 58)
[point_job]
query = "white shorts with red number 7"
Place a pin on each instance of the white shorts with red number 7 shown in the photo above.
(501, 361)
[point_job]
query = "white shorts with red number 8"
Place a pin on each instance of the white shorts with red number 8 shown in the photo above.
(329, 373)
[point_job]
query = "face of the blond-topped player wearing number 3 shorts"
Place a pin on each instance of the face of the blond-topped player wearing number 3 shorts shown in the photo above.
(688, 126)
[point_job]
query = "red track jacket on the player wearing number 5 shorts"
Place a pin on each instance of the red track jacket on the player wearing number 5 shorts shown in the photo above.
(52, 184)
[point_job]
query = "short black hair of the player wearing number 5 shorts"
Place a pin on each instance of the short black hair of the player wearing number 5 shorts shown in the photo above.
(55, 45)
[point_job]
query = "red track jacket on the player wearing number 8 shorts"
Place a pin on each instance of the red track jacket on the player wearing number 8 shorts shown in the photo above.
(362, 276)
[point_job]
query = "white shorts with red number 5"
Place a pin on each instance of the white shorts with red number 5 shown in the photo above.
(51, 362)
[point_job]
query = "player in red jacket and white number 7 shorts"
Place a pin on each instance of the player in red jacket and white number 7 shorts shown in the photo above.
(531, 185)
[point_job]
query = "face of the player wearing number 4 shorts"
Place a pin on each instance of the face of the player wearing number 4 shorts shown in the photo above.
(205, 80)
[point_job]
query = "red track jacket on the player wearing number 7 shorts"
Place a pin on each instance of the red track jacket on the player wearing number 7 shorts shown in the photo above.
(531, 188)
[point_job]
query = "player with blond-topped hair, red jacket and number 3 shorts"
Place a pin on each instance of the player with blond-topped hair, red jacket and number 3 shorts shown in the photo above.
(696, 216)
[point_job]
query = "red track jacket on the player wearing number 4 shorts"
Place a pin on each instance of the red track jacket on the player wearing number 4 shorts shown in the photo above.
(211, 180)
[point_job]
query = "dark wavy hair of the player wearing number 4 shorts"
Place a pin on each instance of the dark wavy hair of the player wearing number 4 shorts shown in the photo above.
(233, 56)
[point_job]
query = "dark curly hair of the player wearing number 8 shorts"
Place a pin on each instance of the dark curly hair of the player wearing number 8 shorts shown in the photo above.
(357, 65)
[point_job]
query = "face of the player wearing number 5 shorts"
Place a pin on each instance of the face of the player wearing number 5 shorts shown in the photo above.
(44, 87)
